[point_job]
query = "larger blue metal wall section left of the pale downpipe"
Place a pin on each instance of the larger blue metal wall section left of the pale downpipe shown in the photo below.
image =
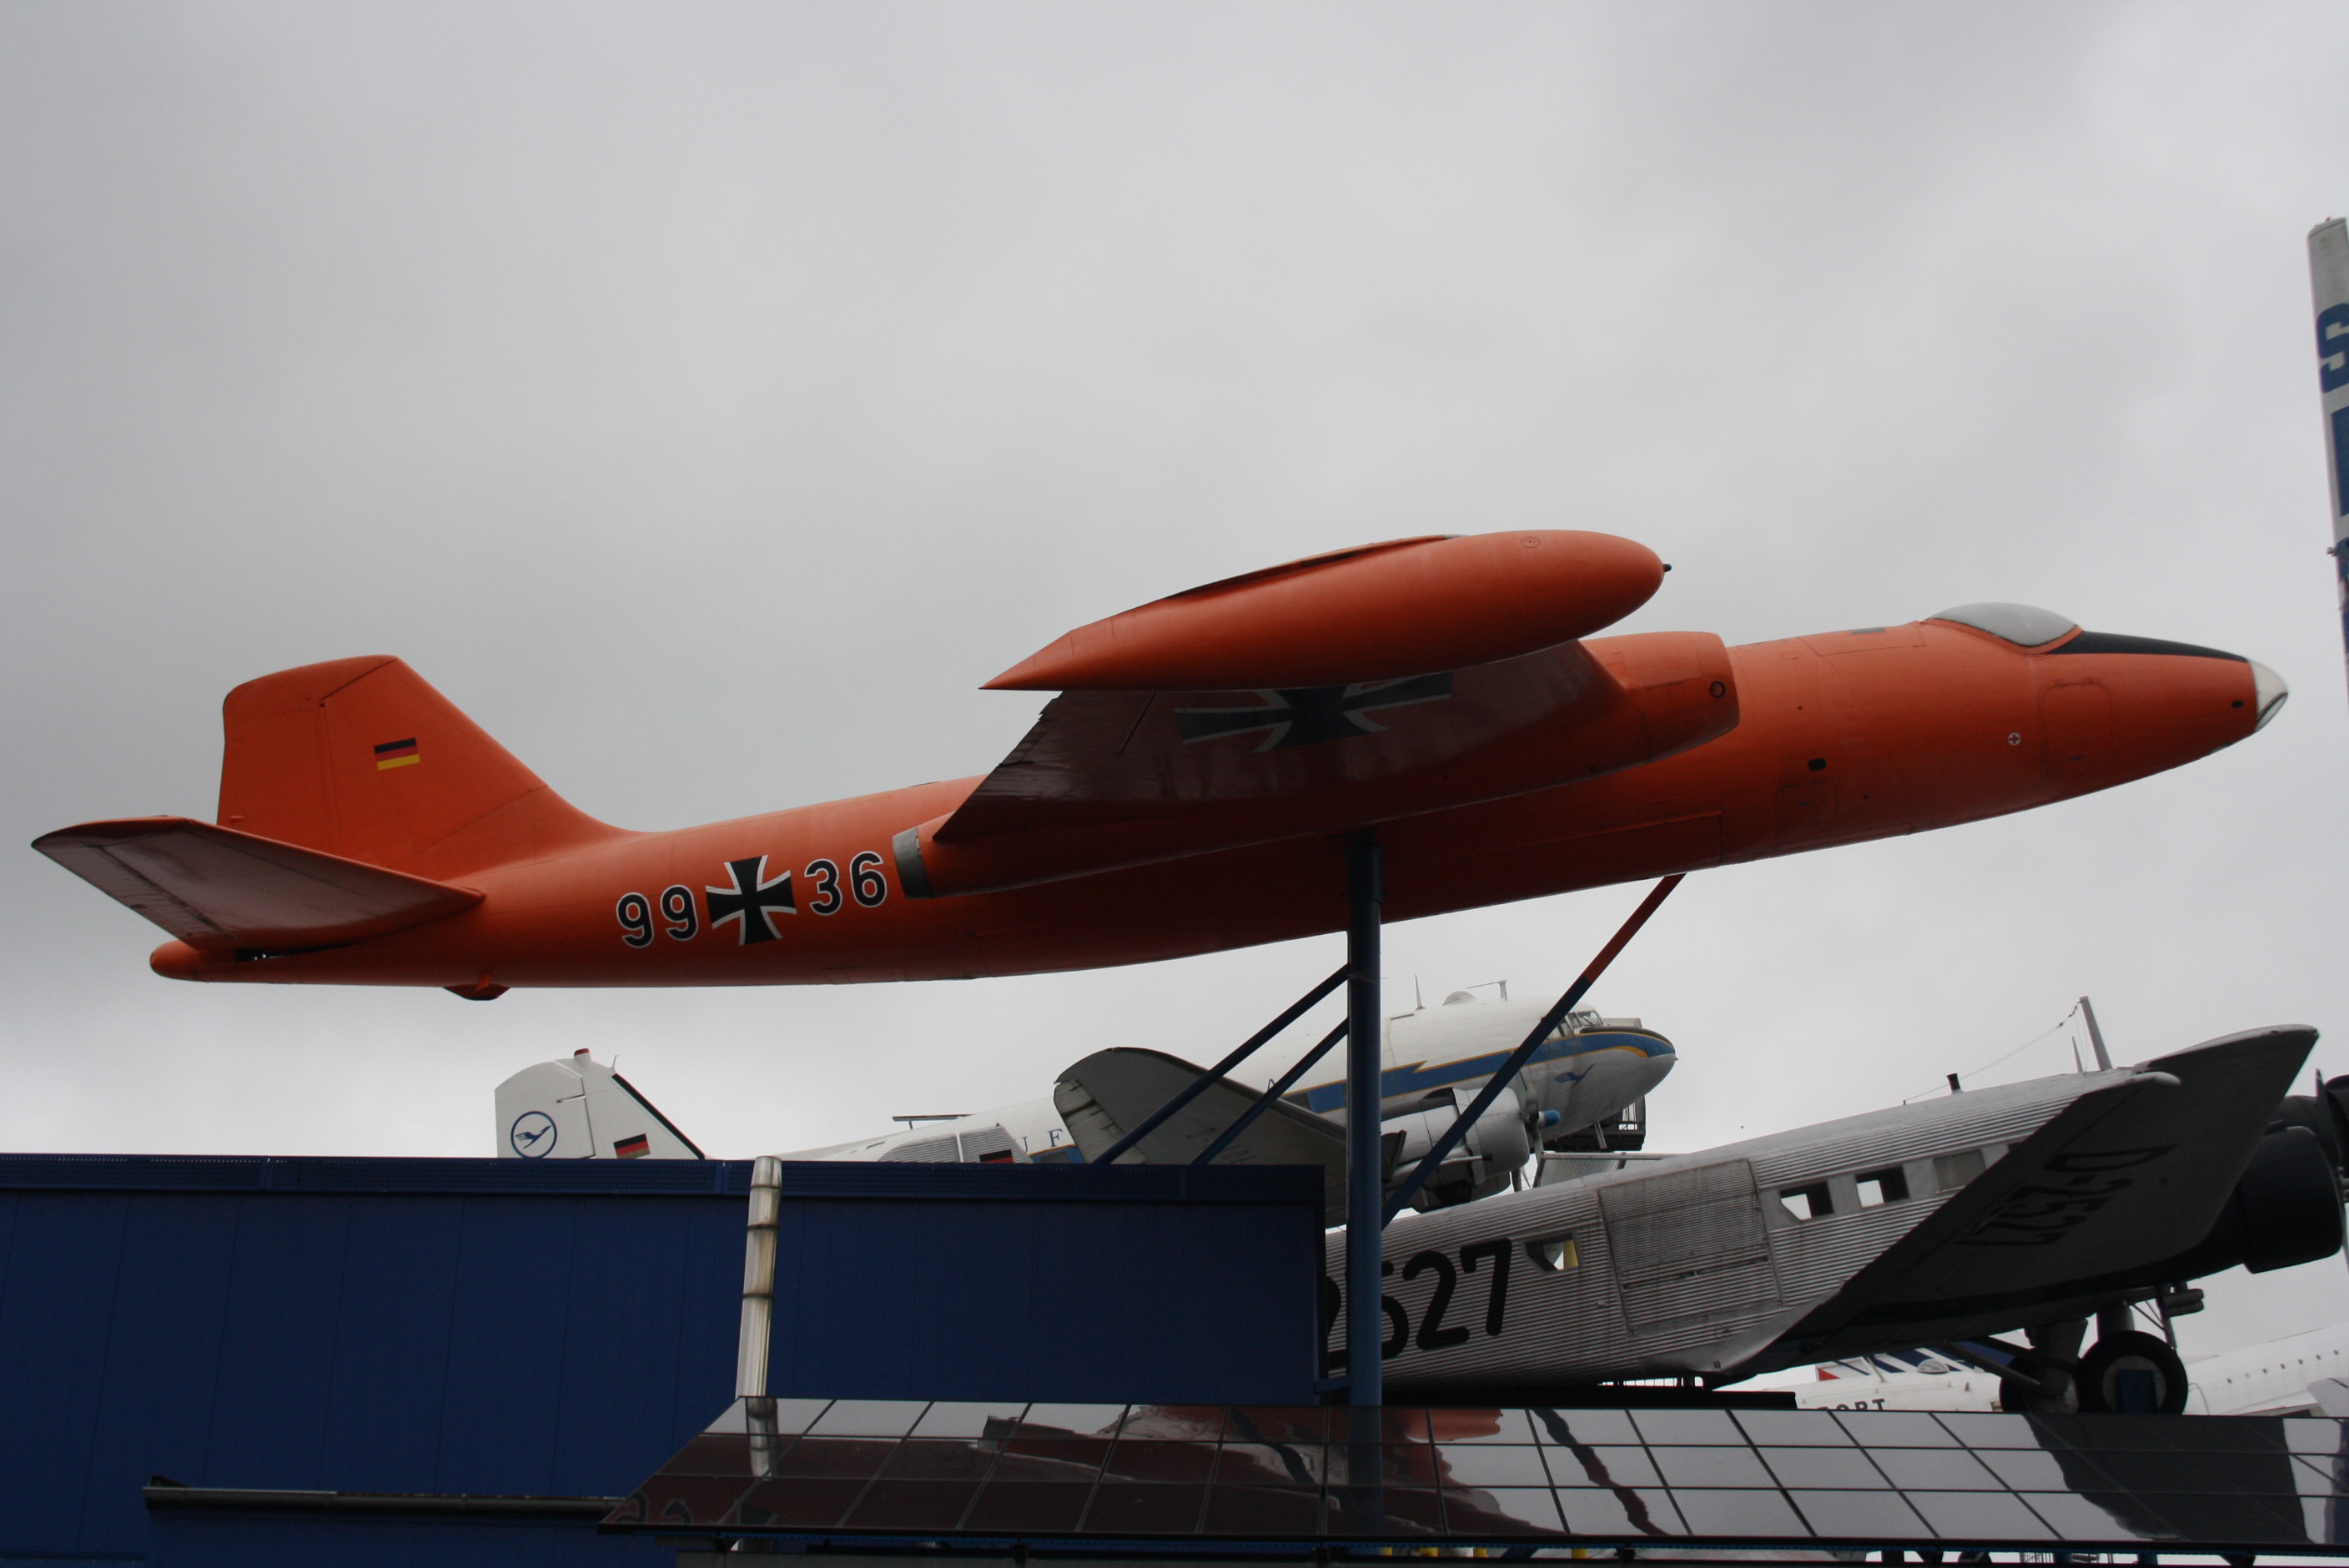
(354, 1325)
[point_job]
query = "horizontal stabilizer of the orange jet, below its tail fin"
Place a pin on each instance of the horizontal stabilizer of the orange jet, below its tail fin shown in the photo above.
(220, 891)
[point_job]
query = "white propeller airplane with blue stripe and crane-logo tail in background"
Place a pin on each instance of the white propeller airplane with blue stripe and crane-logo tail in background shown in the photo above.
(1573, 1095)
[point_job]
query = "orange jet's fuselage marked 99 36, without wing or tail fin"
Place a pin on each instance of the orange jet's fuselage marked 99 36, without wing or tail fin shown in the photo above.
(1840, 738)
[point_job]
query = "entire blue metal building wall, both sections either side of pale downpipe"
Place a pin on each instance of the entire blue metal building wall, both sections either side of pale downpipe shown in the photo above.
(523, 1327)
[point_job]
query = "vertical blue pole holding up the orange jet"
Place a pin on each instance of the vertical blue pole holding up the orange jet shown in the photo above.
(1366, 1325)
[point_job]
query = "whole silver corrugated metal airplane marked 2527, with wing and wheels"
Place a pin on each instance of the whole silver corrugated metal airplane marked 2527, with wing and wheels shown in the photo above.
(2047, 1205)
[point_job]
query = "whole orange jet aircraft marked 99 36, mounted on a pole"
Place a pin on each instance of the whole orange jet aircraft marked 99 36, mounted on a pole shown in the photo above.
(1190, 790)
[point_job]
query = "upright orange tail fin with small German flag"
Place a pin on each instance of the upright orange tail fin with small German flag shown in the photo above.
(363, 759)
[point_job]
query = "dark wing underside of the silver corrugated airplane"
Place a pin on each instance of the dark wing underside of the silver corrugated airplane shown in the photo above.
(2118, 1182)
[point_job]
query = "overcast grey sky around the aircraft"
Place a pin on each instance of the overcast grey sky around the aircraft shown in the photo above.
(708, 398)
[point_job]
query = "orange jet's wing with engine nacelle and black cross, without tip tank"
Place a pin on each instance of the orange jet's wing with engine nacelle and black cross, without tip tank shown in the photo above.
(1122, 778)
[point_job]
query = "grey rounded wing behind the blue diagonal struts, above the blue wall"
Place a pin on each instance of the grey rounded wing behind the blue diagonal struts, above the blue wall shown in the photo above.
(1112, 1090)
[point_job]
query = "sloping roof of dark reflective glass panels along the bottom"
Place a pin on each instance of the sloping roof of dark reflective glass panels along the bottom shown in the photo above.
(964, 1475)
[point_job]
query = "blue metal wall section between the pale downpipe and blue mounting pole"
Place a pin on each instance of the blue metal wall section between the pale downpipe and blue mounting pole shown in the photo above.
(1075, 1283)
